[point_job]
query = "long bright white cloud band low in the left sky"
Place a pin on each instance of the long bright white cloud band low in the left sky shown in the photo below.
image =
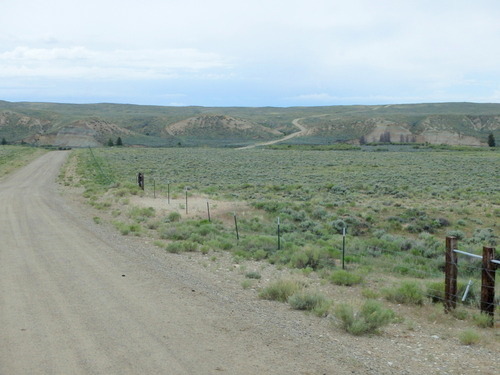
(81, 62)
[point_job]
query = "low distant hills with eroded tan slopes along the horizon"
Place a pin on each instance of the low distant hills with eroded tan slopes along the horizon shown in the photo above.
(81, 125)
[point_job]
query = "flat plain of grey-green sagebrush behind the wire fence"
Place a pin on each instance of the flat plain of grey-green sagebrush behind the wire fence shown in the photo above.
(397, 207)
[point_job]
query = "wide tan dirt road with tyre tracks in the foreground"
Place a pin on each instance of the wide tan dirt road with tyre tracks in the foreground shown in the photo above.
(74, 300)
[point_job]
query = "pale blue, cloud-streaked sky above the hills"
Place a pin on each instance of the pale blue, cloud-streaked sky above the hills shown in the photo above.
(250, 52)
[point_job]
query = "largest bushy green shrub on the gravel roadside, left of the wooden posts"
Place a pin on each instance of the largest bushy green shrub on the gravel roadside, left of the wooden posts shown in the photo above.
(372, 316)
